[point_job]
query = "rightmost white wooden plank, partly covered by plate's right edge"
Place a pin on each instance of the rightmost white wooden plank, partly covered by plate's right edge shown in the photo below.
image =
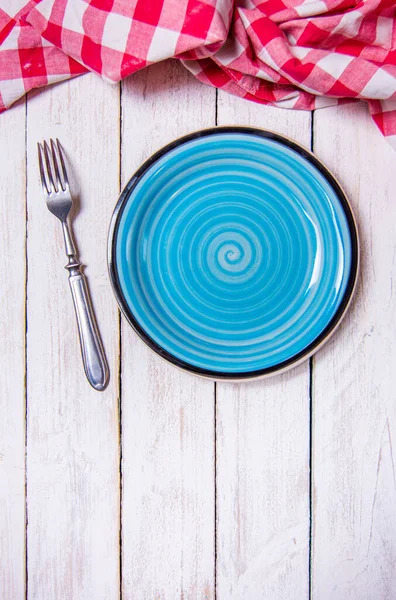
(354, 543)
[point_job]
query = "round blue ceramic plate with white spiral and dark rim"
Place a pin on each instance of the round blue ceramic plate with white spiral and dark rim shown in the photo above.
(233, 253)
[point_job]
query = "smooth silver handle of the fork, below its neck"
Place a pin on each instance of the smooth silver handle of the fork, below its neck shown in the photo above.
(94, 359)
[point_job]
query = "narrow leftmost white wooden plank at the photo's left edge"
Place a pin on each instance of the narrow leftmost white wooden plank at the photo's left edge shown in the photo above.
(12, 354)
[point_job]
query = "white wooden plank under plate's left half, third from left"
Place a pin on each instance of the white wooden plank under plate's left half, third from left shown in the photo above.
(167, 415)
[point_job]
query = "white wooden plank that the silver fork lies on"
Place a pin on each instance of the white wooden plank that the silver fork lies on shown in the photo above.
(72, 433)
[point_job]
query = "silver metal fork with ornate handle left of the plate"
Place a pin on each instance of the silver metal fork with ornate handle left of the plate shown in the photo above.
(59, 201)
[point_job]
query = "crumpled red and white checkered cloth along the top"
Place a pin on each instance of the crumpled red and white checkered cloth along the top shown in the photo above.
(301, 54)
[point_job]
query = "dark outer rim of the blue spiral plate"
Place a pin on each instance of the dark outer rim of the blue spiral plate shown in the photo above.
(318, 341)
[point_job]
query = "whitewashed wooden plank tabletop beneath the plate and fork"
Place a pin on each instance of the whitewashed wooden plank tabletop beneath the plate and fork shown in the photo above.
(167, 486)
